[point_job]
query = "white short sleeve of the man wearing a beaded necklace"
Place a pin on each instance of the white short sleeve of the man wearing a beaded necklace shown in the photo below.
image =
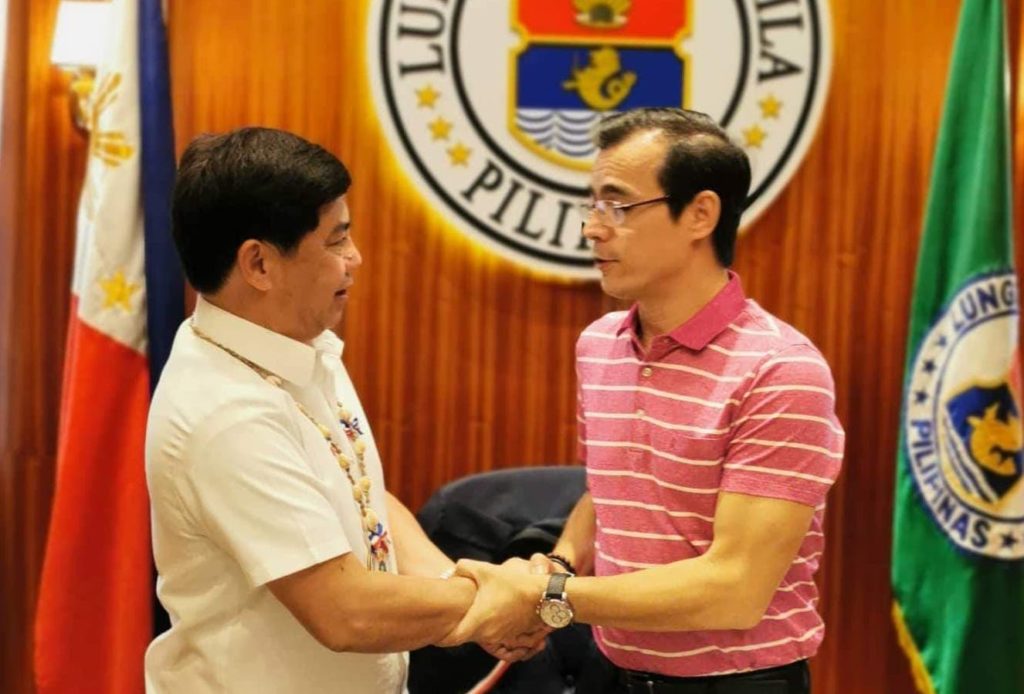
(260, 498)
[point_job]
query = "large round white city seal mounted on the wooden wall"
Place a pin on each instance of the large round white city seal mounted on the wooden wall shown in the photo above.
(491, 106)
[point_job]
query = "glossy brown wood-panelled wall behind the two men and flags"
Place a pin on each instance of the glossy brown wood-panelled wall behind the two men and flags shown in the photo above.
(464, 363)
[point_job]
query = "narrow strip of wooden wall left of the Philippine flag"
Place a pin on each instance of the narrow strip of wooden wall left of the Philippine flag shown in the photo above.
(44, 161)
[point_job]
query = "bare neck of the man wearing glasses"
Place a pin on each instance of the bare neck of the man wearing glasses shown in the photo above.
(661, 314)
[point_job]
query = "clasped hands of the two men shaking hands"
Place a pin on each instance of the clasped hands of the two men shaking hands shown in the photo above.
(503, 618)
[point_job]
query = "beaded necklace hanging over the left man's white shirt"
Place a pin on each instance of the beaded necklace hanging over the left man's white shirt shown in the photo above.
(376, 536)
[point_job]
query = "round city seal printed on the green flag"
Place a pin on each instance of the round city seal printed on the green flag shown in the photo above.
(963, 420)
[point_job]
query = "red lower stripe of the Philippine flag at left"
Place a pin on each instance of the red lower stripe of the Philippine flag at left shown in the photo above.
(95, 616)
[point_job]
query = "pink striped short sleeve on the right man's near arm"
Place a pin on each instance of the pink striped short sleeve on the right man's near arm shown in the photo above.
(787, 442)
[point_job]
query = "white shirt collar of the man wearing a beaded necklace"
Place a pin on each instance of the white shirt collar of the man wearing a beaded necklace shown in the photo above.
(291, 360)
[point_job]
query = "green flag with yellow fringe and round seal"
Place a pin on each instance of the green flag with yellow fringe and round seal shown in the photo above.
(958, 570)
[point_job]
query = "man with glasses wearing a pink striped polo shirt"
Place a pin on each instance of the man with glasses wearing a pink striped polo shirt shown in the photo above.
(709, 432)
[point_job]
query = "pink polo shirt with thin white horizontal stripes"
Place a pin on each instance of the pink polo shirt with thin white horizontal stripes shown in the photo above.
(733, 401)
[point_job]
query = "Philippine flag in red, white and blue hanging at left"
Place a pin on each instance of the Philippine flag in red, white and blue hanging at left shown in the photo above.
(95, 617)
